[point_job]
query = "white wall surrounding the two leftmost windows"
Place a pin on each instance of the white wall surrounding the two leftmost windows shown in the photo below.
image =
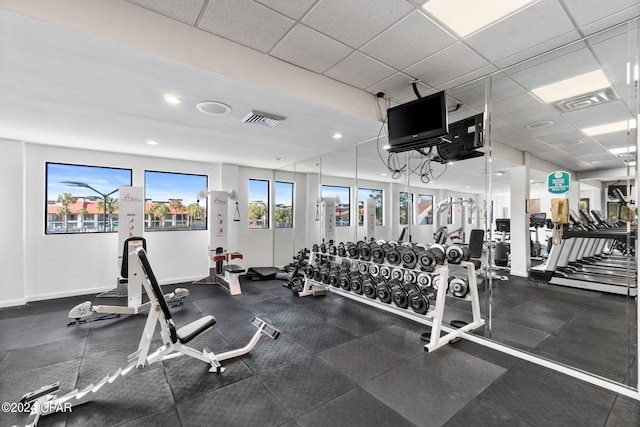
(52, 266)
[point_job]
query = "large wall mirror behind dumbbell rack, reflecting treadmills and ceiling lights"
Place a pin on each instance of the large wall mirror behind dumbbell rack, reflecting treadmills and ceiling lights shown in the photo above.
(534, 126)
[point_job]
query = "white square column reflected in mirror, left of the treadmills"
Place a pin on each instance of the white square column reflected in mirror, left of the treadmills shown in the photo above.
(520, 236)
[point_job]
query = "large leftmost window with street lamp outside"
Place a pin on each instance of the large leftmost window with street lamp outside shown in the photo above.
(79, 198)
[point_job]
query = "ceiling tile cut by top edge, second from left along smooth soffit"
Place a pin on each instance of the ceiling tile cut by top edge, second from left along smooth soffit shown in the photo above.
(245, 22)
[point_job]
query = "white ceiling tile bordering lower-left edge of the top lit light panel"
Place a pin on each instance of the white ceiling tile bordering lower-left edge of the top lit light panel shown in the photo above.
(408, 41)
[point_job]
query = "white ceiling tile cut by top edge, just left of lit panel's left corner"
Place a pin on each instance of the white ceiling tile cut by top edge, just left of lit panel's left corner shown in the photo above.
(355, 22)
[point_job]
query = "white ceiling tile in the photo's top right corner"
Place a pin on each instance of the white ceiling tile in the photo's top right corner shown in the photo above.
(586, 12)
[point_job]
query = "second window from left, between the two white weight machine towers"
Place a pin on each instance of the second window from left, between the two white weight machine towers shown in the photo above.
(171, 201)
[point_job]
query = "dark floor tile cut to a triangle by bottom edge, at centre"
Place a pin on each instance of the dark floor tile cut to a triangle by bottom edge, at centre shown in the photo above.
(353, 409)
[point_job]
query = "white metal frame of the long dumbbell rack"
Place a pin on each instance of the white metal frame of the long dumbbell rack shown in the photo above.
(434, 316)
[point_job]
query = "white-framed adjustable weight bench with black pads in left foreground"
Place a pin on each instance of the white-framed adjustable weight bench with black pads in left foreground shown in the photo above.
(174, 339)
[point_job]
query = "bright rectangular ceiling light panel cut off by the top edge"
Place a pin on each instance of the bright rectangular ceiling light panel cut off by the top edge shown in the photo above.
(468, 16)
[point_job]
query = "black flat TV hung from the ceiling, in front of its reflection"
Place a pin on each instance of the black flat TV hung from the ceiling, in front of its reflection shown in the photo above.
(416, 124)
